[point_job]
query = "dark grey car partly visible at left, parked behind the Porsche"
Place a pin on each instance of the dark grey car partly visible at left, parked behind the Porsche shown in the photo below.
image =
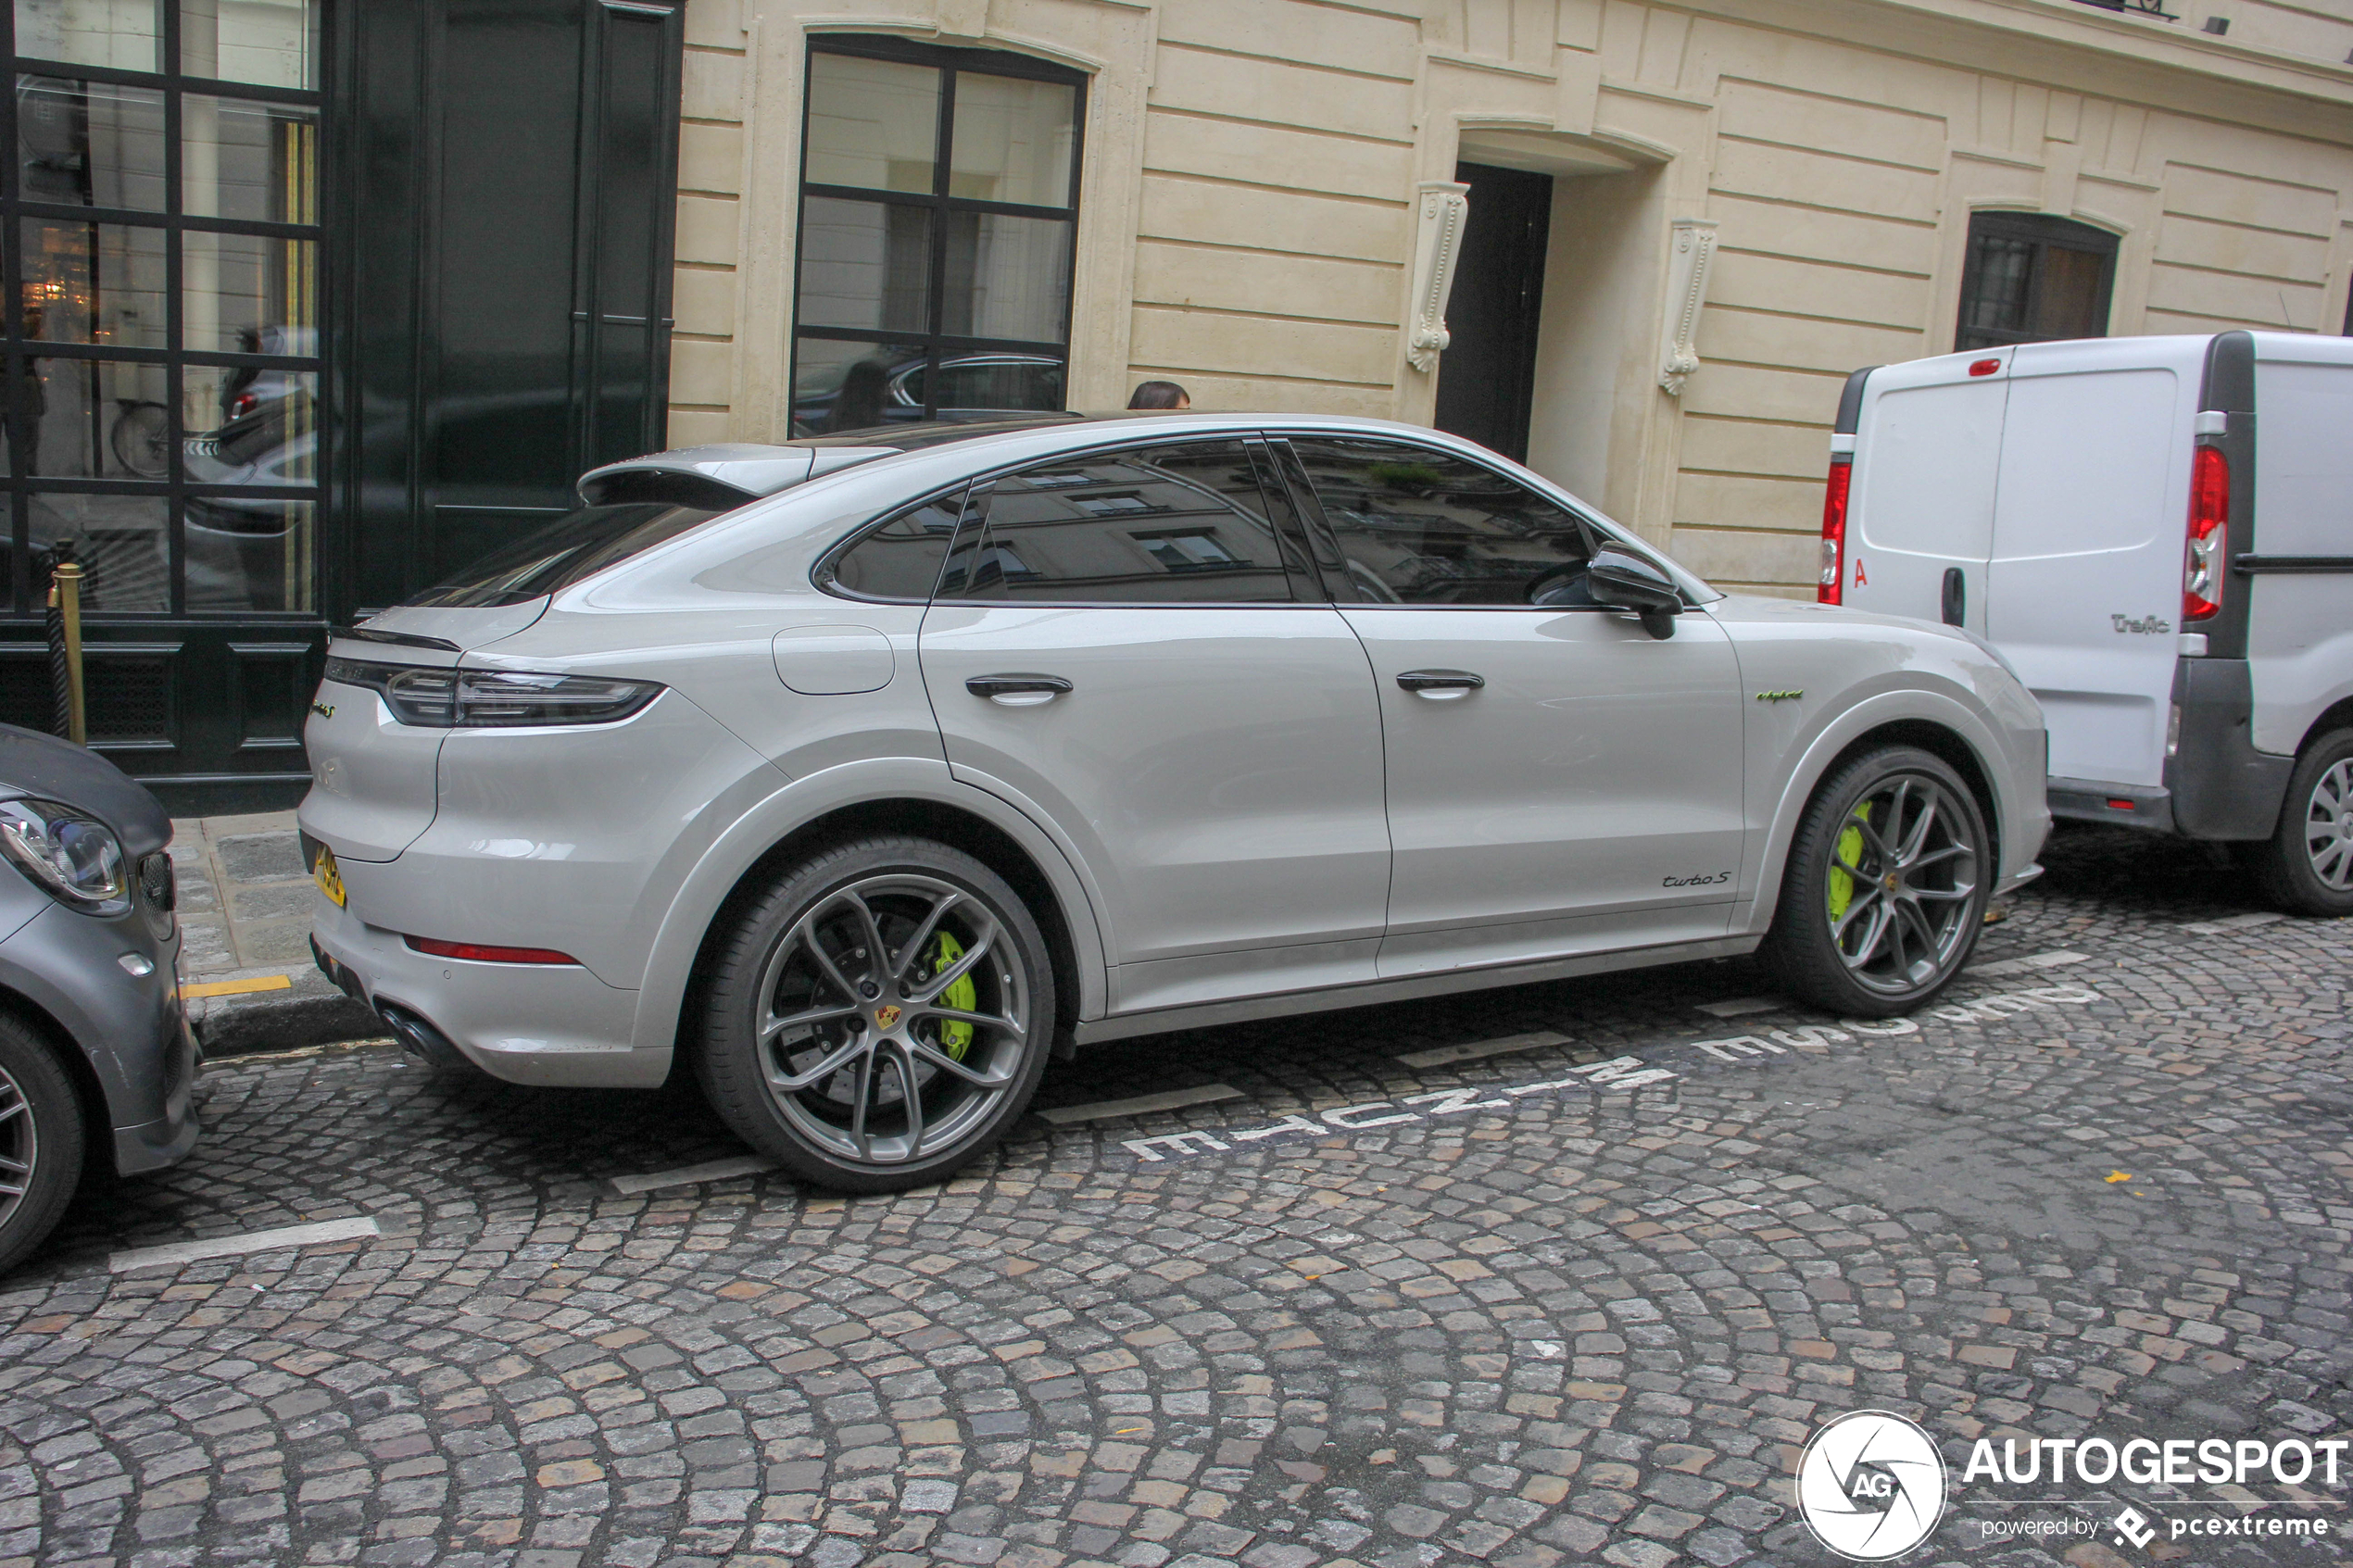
(95, 1050)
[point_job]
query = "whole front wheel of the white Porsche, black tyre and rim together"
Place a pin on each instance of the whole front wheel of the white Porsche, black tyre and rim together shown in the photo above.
(1872, 927)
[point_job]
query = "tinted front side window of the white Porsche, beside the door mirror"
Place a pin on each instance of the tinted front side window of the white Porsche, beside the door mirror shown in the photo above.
(1427, 528)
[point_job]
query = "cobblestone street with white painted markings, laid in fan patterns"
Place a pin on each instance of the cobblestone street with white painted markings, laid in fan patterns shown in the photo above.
(1554, 1275)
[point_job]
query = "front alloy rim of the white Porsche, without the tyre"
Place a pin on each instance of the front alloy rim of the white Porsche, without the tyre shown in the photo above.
(1902, 885)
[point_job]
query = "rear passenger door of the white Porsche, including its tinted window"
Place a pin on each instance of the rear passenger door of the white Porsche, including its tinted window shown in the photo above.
(1126, 648)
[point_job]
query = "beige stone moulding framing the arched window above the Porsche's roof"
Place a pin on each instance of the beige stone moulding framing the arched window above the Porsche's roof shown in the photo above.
(1112, 43)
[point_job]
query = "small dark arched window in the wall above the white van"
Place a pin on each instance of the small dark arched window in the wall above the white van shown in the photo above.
(2034, 279)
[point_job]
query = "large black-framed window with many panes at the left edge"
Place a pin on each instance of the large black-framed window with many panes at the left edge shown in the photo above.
(161, 241)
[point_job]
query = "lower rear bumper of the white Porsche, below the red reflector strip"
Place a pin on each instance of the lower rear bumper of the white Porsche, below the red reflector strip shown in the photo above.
(554, 1026)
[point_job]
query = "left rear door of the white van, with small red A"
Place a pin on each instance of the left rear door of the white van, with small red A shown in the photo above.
(1921, 504)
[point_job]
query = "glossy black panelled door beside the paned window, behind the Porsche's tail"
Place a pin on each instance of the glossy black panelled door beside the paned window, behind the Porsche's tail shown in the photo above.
(512, 309)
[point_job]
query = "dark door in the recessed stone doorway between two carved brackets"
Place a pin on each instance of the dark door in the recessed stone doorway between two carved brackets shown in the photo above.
(1488, 375)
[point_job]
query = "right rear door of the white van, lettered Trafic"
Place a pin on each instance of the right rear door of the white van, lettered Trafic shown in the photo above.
(2086, 579)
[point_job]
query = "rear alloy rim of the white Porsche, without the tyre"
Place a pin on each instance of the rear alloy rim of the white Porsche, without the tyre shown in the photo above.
(893, 1019)
